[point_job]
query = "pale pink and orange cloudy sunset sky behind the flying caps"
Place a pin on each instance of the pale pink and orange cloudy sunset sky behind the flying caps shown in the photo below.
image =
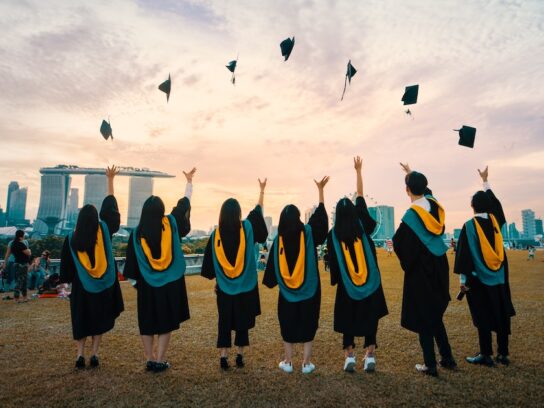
(66, 65)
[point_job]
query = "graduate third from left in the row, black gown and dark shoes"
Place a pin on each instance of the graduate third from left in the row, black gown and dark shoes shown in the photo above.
(230, 259)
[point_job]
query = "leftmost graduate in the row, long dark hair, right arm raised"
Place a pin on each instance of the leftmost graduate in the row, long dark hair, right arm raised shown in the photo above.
(87, 263)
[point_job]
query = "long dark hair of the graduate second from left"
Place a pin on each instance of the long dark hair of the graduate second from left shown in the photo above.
(150, 226)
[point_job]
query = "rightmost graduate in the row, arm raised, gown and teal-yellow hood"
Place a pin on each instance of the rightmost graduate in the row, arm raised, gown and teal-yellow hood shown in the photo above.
(483, 268)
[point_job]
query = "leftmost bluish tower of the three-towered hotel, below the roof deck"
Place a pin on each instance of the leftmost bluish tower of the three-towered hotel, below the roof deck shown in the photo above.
(53, 198)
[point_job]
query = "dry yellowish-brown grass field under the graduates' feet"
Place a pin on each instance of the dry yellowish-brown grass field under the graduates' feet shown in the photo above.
(37, 356)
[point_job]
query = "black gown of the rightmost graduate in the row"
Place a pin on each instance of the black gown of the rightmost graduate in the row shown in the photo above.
(490, 306)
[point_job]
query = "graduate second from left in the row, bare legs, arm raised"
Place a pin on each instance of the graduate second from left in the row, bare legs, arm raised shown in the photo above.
(156, 262)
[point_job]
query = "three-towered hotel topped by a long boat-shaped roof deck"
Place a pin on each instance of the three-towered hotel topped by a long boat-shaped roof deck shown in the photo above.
(58, 203)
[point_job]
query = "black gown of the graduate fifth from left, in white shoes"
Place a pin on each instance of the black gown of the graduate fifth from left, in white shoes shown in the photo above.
(356, 317)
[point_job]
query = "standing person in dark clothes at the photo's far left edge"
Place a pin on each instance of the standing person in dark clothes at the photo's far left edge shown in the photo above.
(21, 258)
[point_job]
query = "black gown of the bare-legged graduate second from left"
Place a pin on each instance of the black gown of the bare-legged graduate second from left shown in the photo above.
(162, 309)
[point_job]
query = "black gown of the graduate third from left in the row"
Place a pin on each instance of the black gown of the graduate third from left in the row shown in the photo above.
(236, 312)
